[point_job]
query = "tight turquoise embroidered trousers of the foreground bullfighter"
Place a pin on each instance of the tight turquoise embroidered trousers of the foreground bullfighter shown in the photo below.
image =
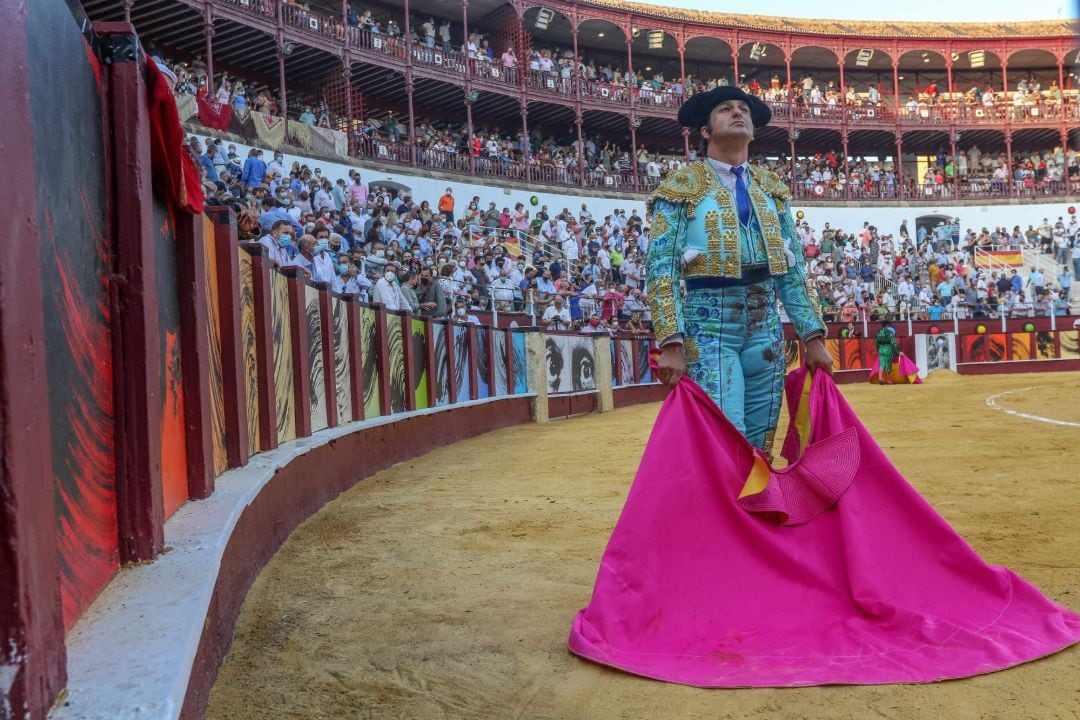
(735, 350)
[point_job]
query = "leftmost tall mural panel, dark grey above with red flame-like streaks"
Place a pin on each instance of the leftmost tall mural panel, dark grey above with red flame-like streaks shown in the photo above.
(73, 216)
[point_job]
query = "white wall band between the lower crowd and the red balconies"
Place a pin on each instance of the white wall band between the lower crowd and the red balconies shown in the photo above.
(887, 219)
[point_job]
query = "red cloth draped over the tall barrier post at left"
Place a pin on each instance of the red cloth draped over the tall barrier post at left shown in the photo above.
(175, 175)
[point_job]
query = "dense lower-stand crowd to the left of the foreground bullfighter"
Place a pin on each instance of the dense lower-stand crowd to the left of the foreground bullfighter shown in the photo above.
(435, 257)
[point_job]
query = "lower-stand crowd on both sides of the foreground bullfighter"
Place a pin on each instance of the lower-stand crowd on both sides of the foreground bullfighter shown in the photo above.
(580, 273)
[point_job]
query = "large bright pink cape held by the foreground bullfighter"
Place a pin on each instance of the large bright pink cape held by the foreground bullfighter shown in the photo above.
(834, 570)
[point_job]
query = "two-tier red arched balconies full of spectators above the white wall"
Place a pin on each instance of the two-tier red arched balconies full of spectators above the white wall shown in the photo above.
(565, 104)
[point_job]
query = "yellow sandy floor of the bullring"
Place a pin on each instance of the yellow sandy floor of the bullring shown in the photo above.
(444, 588)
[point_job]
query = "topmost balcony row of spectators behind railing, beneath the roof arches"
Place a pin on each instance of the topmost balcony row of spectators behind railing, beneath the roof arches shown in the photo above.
(897, 110)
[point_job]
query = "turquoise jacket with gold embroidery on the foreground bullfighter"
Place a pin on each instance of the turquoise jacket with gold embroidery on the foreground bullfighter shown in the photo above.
(695, 233)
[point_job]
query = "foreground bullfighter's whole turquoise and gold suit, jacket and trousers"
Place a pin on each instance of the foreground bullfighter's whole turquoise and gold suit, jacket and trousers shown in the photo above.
(736, 263)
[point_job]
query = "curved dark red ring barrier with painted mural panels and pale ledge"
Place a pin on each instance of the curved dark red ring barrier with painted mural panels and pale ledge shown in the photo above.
(193, 405)
